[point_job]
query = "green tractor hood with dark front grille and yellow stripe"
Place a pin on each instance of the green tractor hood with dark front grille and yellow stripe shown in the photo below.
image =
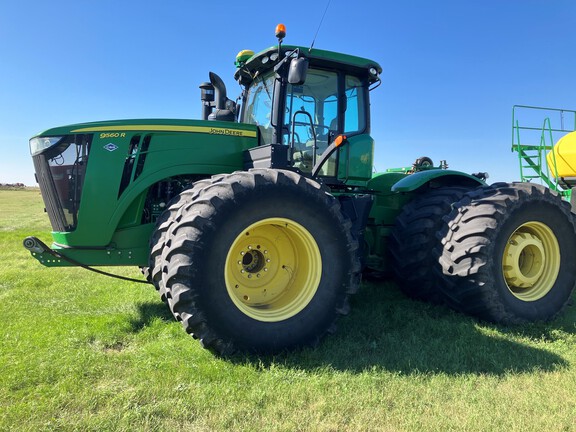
(112, 157)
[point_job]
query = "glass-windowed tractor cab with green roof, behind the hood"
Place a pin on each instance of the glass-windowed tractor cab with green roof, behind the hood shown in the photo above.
(302, 100)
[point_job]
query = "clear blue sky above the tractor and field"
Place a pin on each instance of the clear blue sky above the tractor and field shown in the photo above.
(452, 69)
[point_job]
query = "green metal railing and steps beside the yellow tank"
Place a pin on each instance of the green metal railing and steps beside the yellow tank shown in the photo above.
(535, 130)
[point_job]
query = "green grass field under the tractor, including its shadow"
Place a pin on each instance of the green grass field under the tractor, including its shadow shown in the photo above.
(82, 352)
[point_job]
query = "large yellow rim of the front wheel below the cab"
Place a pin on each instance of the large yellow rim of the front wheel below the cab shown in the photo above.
(273, 269)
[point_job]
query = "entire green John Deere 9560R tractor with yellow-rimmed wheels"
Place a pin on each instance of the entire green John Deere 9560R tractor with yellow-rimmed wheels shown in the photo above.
(257, 222)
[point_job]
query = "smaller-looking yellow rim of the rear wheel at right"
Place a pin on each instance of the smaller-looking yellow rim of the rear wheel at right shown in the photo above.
(531, 261)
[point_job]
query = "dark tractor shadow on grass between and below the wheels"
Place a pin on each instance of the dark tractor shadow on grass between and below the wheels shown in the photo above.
(387, 331)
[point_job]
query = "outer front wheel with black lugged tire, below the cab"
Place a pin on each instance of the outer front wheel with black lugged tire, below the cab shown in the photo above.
(261, 261)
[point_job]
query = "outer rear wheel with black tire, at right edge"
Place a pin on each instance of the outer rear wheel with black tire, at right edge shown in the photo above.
(508, 254)
